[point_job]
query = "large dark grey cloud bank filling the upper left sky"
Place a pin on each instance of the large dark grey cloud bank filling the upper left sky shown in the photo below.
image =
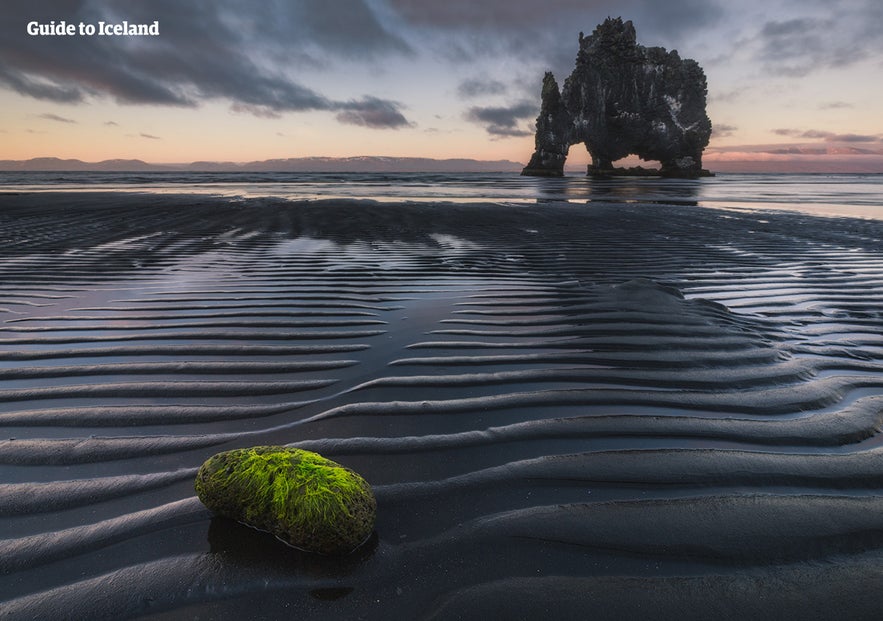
(207, 49)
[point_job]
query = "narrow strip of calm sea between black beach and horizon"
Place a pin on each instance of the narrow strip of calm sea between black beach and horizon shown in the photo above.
(852, 195)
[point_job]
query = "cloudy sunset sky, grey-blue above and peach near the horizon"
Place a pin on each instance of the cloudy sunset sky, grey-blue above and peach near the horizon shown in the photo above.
(790, 82)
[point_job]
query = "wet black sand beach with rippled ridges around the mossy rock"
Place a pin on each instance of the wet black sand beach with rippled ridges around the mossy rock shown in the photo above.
(605, 411)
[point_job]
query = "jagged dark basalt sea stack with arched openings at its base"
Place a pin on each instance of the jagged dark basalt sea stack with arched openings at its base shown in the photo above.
(621, 99)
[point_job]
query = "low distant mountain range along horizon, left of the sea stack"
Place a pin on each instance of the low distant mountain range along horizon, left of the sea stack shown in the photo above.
(299, 164)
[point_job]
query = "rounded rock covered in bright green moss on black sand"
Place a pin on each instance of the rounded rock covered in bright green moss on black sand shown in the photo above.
(306, 500)
